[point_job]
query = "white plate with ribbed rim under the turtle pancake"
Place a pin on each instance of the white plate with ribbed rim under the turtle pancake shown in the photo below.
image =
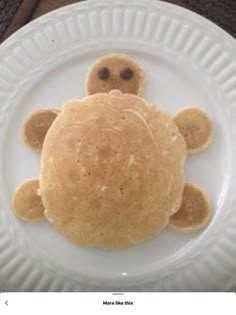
(187, 60)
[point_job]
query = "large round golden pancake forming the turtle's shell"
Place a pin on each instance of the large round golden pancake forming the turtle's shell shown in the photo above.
(111, 170)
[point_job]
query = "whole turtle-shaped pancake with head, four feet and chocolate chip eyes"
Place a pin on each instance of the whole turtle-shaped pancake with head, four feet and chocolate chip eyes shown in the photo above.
(112, 165)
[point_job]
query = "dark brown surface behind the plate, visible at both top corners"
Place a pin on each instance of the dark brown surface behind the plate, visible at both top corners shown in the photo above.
(16, 13)
